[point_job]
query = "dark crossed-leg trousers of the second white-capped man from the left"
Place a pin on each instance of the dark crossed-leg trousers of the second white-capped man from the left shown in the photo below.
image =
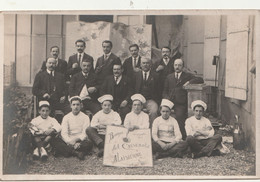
(61, 148)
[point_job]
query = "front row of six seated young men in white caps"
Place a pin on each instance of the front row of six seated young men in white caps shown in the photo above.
(76, 134)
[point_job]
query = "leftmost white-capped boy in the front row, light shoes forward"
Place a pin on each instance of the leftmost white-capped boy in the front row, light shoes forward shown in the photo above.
(43, 129)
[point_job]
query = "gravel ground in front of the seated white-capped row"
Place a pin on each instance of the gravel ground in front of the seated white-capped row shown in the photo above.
(236, 163)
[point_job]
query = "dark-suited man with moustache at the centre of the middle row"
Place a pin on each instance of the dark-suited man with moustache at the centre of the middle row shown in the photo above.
(121, 88)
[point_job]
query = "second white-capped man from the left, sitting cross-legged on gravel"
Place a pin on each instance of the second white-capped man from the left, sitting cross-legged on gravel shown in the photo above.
(74, 141)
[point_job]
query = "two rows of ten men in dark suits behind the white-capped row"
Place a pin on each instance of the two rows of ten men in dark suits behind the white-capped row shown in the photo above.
(164, 79)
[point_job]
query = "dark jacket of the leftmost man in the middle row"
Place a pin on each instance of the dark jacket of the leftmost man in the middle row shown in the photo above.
(44, 83)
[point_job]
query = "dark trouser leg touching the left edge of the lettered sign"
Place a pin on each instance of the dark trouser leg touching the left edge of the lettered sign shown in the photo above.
(96, 138)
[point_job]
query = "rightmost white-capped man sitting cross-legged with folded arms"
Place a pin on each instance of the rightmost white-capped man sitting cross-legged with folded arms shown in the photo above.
(200, 133)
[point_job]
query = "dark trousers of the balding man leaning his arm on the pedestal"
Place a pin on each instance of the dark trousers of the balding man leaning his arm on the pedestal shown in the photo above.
(181, 114)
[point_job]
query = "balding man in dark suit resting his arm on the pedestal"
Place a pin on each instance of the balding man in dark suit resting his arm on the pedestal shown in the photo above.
(174, 91)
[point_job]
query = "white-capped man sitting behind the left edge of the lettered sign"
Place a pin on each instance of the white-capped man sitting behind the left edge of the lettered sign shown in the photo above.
(101, 120)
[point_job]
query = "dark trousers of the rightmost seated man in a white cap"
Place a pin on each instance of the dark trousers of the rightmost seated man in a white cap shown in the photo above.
(203, 147)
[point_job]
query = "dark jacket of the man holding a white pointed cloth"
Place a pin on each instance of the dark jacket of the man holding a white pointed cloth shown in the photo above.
(78, 81)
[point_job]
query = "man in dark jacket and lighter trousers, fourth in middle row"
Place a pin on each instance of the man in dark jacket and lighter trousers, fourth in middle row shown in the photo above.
(146, 83)
